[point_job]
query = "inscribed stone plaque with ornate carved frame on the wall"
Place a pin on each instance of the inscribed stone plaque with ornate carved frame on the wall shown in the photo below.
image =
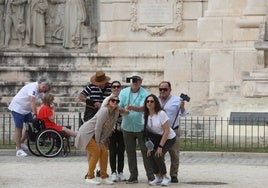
(156, 16)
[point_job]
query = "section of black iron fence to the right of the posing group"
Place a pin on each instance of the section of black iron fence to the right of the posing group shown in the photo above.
(217, 133)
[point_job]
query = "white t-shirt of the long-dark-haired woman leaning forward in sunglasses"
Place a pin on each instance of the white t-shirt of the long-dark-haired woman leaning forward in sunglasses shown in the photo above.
(156, 122)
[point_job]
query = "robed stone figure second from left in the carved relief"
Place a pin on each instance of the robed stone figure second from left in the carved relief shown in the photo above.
(36, 22)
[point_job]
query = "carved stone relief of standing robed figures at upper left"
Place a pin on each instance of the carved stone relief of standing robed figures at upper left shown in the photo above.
(59, 24)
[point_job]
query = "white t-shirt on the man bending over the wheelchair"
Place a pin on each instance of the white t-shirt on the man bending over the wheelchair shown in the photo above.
(21, 102)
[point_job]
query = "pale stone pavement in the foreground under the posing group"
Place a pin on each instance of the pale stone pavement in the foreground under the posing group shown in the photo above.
(197, 169)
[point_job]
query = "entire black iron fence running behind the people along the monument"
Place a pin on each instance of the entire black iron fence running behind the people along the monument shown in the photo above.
(197, 133)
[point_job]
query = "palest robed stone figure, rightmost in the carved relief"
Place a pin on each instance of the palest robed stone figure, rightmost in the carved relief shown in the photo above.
(74, 18)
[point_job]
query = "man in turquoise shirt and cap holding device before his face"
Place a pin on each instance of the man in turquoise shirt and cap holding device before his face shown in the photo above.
(133, 127)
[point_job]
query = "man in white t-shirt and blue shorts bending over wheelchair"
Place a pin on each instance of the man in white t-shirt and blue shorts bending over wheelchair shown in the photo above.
(22, 106)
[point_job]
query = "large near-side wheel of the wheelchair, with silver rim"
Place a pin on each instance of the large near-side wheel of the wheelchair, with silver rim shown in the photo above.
(49, 143)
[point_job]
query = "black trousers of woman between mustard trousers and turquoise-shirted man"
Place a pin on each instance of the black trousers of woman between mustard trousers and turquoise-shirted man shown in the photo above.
(116, 151)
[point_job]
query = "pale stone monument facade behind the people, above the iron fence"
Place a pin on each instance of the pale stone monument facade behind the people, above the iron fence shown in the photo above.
(212, 50)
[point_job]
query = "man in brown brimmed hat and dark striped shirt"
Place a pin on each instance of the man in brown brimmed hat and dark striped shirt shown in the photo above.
(94, 94)
